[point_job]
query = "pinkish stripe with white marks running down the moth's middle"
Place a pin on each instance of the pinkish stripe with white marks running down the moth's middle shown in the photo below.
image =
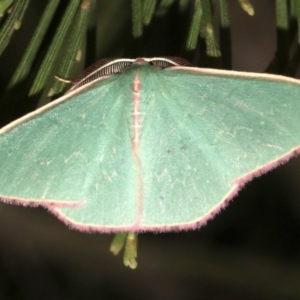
(136, 87)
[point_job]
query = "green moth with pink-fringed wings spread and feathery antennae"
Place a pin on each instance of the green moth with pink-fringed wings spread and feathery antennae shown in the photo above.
(149, 144)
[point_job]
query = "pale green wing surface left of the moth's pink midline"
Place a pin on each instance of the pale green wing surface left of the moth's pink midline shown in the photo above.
(74, 151)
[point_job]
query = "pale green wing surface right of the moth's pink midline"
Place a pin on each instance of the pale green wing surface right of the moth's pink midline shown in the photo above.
(205, 135)
